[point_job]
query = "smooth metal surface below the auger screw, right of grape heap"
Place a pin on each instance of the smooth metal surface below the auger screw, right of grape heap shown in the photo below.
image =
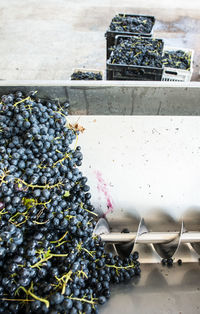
(159, 290)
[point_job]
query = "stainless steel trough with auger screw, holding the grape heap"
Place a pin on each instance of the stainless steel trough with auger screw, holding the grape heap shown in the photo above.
(141, 148)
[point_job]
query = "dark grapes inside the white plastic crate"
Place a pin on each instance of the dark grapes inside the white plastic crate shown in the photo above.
(177, 59)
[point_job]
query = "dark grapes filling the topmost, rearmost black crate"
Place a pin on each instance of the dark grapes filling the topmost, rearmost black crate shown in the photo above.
(134, 24)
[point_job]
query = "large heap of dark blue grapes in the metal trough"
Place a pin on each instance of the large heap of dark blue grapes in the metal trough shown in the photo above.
(50, 261)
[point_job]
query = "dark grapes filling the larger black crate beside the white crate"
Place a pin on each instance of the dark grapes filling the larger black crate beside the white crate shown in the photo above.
(137, 51)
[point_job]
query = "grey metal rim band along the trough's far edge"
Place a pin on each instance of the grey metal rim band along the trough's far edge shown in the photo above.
(116, 98)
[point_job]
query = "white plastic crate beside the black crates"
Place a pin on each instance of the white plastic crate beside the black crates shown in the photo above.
(178, 75)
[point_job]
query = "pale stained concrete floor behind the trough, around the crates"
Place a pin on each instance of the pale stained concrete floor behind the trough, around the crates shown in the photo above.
(47, 39)
